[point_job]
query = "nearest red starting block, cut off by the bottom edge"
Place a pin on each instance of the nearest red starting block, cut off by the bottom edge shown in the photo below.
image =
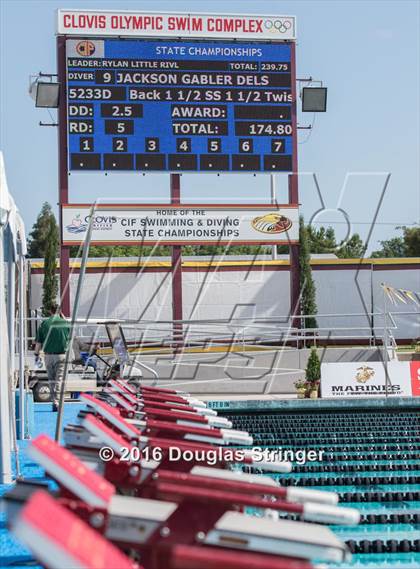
(60, 540)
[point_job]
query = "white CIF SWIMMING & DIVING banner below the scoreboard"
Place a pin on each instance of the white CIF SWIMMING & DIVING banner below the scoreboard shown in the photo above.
(181, 225)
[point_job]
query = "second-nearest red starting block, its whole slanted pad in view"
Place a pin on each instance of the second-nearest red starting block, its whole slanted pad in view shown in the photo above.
(139, 522)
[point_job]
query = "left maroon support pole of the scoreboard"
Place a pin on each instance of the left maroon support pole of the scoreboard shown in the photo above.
(63, 181)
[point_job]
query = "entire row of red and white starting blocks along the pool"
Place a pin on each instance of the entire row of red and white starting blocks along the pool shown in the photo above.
(123, 500)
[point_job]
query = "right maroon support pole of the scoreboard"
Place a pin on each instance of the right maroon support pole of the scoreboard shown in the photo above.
(294, 199)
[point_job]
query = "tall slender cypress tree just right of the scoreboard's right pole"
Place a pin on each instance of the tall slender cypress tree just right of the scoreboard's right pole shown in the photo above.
(307, 285)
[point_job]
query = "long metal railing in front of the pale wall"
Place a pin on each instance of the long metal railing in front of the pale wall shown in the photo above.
(159, 335)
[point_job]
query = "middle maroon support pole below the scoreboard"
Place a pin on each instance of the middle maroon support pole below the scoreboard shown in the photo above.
(176, 266)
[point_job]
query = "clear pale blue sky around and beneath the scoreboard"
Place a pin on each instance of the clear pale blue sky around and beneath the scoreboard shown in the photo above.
(366, 52)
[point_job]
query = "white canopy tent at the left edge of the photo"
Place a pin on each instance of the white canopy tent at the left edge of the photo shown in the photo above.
(12, 254)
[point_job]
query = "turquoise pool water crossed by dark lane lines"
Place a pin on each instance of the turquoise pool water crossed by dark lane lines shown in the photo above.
(371, 459)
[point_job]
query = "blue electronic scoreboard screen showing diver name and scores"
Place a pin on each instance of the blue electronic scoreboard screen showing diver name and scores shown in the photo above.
(142, 105)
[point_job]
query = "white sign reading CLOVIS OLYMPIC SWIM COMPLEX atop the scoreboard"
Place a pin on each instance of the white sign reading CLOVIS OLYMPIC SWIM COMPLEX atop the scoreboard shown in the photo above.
(138, 24)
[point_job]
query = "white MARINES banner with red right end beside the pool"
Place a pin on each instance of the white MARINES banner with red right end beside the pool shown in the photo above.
(367, 379)
